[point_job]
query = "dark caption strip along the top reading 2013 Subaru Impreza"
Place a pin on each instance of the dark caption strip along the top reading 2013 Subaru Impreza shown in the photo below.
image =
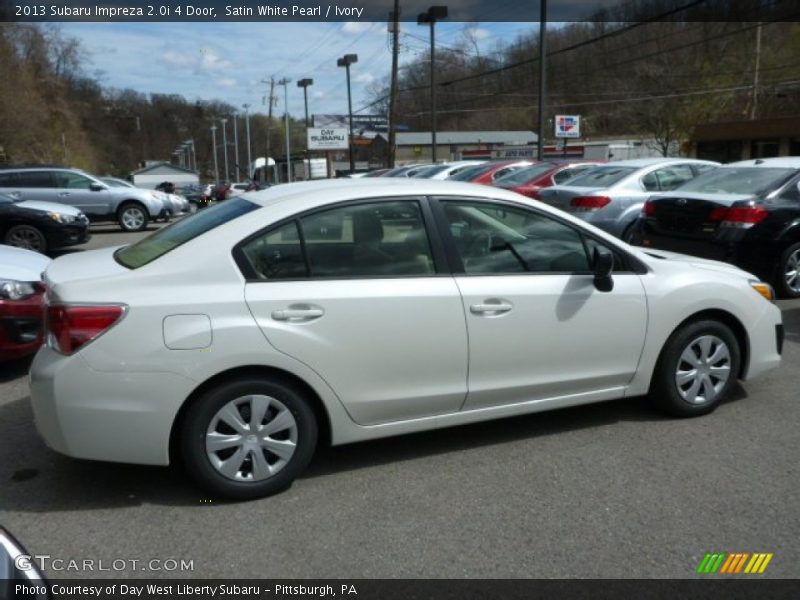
(410, 10)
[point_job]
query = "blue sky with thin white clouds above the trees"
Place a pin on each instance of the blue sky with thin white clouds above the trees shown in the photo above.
(231, 61)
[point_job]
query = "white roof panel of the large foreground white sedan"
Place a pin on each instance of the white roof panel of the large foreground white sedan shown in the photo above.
(326, 191)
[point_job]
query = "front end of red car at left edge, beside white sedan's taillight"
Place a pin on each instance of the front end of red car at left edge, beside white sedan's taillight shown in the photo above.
(21, 302)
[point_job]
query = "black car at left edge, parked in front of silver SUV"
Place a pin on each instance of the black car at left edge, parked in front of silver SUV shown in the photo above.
(41, 226)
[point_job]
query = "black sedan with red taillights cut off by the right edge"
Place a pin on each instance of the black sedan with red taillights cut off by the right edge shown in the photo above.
(746, 213)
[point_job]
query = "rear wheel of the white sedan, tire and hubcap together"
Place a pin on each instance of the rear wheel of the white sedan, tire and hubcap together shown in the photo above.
(248, 438)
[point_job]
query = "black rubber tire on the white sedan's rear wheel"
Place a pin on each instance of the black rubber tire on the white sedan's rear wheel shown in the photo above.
(202, 413)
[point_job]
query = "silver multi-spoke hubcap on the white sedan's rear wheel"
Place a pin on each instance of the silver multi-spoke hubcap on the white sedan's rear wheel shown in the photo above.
(251, 438)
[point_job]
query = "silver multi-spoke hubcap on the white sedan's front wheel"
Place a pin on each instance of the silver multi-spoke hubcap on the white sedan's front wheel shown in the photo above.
(703, 369)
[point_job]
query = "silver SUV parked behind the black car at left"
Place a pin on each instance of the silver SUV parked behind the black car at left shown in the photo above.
(131, 207)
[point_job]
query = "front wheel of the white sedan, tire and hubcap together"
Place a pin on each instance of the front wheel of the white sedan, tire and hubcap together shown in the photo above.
(696, 370)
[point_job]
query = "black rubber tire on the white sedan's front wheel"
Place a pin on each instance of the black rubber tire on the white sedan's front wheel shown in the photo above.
(664, 389)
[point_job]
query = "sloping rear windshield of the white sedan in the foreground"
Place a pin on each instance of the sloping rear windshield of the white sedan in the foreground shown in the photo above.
(170, 237)
